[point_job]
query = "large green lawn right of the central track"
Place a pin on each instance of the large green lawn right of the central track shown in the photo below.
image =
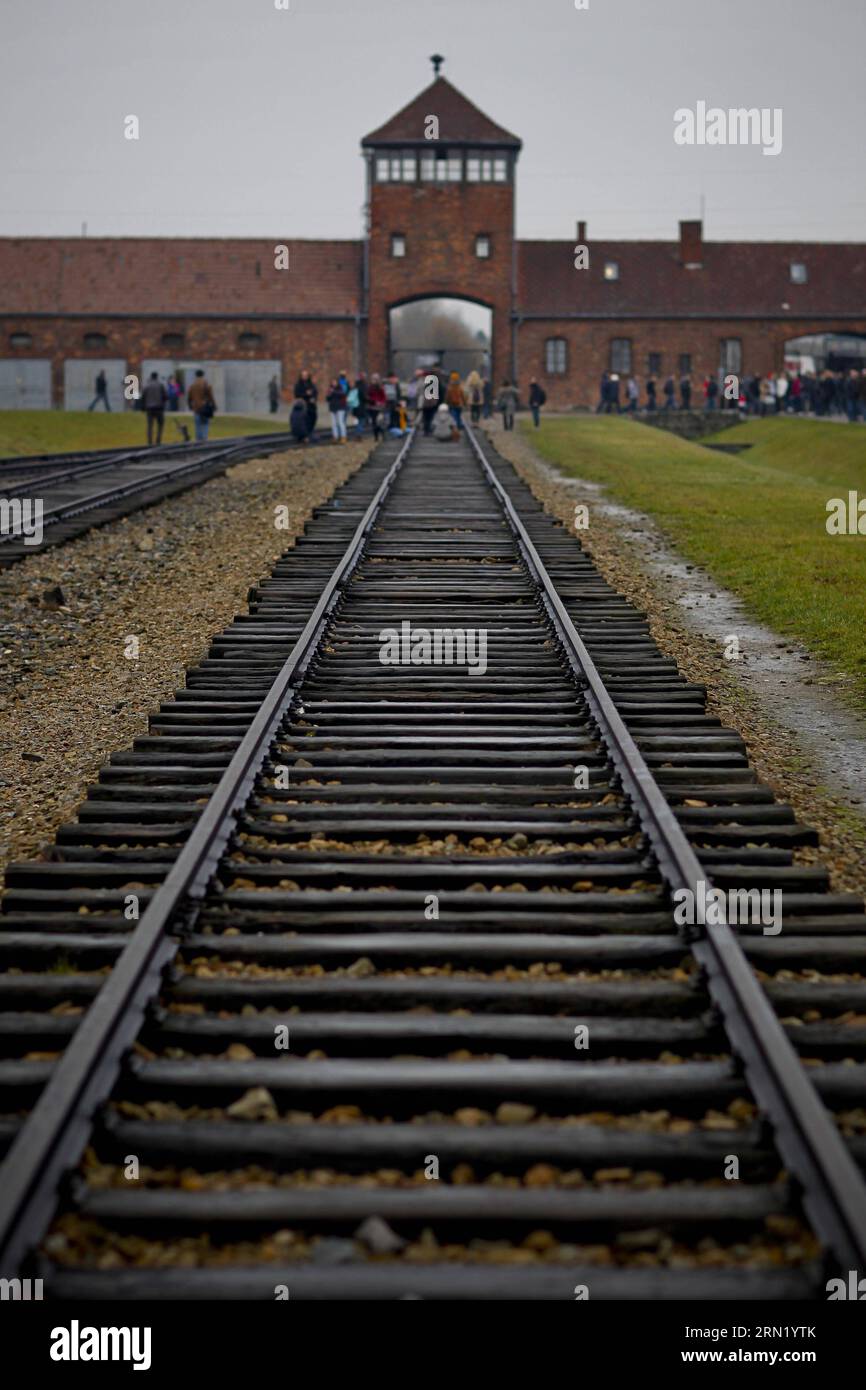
(757, 522)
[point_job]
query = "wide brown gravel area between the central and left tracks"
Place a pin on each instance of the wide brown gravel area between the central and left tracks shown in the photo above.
(173, 576)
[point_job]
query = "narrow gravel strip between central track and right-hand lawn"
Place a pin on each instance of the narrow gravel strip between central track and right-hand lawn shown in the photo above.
(781, 760)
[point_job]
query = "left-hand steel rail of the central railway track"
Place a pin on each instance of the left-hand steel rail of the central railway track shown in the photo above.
(56, 1132)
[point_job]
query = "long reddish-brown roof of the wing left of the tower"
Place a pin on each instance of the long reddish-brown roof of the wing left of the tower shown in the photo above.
(172, 276)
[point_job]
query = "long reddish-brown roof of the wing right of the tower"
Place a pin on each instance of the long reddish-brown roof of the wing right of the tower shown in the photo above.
(739, 280)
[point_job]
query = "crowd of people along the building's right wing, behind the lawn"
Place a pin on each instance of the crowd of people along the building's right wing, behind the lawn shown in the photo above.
(783, 393)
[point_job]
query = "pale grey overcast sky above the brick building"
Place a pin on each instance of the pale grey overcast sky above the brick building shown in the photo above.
(251, 117)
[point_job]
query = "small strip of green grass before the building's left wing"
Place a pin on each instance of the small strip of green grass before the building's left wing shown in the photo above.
(65, 432)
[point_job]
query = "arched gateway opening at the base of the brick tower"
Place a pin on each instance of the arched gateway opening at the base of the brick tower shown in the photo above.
(440, 332)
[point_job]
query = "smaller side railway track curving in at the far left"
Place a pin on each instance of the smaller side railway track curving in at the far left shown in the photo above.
(80, 491)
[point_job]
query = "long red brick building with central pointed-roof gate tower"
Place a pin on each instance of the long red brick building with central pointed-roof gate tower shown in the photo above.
(441, 181)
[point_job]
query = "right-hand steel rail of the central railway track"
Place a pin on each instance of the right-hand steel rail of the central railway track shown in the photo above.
(833, 1191)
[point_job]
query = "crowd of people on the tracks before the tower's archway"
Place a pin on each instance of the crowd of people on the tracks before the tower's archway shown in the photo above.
(383, 404)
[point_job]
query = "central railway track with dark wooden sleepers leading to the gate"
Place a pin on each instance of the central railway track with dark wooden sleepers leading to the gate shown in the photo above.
(405, 1011)
